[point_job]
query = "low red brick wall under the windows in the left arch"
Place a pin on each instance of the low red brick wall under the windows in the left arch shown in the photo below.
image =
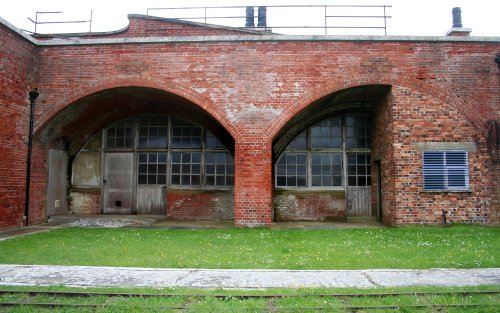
(183, 204)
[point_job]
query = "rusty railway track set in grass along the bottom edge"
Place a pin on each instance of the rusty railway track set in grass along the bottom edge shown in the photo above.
(31, 299)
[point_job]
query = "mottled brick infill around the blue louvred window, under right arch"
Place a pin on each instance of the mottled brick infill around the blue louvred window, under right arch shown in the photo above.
(420, 118)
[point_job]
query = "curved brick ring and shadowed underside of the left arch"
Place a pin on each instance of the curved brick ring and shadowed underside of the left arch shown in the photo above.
(76, 118)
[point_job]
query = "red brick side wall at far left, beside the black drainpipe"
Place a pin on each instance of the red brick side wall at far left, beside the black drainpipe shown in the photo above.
(16, 79)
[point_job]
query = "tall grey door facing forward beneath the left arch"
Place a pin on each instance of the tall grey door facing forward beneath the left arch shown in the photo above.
(118, 183)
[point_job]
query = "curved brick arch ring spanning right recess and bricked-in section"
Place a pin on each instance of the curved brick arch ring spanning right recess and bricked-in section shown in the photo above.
(454, 102)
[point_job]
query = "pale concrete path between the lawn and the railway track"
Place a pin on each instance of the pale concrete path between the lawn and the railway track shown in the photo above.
(85, 276)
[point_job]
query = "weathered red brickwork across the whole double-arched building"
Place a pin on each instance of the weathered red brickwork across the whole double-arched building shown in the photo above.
(249, 89)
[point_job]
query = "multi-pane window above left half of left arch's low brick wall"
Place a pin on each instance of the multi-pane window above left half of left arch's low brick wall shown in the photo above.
(186, 168)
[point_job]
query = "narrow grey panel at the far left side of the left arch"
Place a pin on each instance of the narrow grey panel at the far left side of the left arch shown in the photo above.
(56, 202)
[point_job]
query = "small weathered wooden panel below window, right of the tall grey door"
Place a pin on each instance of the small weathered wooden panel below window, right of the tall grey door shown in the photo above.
(151, 200)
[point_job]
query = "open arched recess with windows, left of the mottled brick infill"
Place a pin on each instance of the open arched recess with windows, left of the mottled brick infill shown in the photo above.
(323, 157)
